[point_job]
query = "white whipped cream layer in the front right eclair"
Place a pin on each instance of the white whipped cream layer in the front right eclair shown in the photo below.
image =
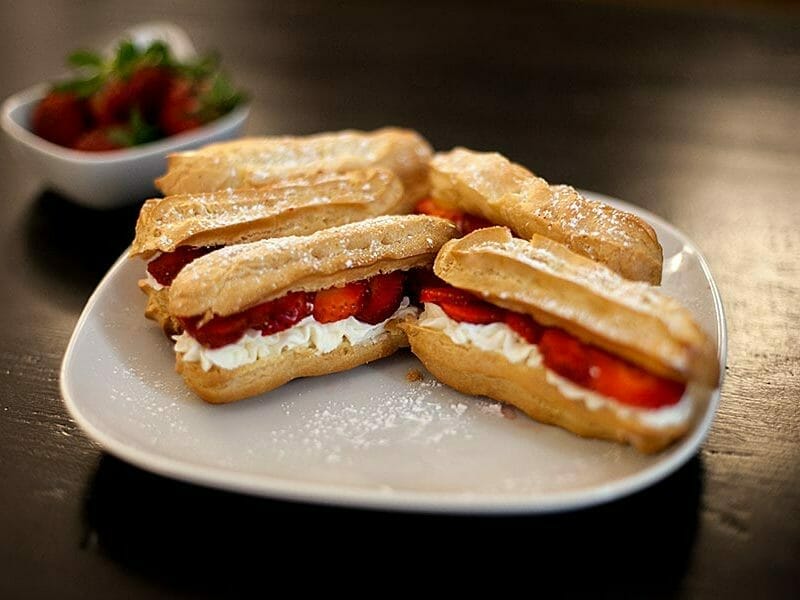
(500, 338)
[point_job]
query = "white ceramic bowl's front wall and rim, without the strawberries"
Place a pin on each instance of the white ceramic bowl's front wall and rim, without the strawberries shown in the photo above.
(103, 179)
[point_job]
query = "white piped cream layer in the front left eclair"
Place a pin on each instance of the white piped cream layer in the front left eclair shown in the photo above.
(308, 333)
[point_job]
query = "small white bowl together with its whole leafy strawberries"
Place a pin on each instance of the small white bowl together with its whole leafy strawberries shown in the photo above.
(101, 136)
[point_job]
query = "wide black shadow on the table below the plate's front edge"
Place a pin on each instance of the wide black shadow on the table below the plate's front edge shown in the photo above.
(195, 539)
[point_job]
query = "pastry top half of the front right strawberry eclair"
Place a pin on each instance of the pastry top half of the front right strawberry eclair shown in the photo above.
(560, 288)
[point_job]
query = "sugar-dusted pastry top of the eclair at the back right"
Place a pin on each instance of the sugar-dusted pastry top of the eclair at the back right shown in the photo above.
(488, 185)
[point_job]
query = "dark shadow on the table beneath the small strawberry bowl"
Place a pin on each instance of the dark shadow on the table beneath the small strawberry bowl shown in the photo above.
(68, 248)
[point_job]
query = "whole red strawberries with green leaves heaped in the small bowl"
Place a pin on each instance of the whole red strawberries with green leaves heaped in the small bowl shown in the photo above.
(136, 96)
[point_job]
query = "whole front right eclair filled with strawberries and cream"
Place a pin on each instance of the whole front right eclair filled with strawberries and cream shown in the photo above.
(563, 338)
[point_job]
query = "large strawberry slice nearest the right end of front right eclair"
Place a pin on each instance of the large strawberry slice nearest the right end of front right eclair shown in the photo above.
(614, 377)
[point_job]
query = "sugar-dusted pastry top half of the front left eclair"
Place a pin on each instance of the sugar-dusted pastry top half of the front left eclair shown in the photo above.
(235, 278)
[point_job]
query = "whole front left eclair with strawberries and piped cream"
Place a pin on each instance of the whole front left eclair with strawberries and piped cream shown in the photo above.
(257, 315)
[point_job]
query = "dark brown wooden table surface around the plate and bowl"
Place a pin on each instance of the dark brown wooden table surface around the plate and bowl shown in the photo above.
(694, 114)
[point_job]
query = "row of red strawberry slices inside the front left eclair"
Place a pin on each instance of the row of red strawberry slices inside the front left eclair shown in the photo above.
(370, 300)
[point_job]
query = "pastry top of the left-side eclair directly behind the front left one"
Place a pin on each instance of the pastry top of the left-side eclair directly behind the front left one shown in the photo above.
(296, 205)
